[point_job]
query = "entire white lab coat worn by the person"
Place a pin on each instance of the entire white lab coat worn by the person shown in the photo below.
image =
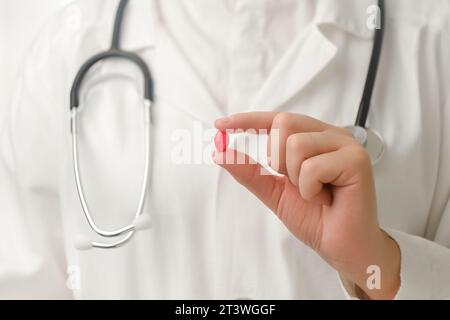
(210, 237)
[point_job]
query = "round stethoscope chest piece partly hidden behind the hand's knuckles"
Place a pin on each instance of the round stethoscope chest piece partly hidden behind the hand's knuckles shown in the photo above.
(371, 140)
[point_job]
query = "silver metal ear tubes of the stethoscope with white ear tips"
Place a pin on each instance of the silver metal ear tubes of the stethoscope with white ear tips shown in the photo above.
(141, 221)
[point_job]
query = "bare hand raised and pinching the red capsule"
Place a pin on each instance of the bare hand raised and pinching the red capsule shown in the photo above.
(326, 197)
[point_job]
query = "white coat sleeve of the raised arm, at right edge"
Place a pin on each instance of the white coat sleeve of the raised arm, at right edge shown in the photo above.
(425, 265)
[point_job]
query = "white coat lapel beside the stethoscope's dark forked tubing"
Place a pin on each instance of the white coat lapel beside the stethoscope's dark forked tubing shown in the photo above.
(177, 84)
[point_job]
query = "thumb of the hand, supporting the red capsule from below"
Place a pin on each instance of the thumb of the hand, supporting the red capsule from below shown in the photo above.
(253, 176)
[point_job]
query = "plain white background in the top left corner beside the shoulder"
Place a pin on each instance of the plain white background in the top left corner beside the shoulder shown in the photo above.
(20, 23)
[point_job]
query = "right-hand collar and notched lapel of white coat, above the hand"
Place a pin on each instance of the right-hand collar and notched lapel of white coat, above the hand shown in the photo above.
(312, 51)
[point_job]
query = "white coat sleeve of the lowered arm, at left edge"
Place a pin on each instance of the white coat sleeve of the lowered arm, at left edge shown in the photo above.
(32, 258)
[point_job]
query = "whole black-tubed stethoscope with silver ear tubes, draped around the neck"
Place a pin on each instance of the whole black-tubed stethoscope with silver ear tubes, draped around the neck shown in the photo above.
(368, 137)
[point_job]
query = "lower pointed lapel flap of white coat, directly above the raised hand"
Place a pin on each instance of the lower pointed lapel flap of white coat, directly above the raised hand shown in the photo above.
(304, 60)
